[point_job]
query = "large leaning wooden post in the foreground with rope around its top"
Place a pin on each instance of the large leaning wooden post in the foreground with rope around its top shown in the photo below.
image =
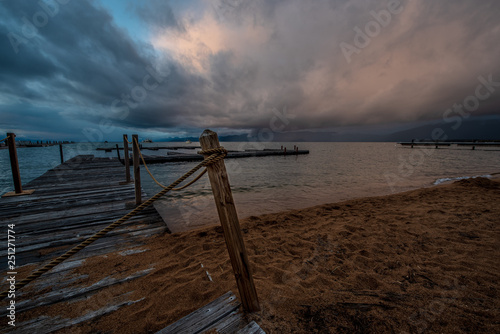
(230, 225)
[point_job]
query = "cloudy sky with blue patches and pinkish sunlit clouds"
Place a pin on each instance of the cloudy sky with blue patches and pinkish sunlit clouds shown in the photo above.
(92, 70)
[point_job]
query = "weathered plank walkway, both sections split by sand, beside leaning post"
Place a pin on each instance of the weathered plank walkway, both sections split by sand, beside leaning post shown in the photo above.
(72, 202)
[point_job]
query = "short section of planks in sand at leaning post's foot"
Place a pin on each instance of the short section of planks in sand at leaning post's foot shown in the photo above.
(206, 317)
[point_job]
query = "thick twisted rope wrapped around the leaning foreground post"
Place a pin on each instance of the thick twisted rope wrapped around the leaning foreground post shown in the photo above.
(214, 155)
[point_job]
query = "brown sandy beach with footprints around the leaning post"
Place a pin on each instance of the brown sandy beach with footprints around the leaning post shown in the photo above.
(424, 261)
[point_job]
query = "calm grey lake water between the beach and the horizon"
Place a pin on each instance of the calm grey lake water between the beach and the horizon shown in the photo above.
(331, 172)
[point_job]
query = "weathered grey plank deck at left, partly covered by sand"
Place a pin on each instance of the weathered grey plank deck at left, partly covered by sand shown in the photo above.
(70, 203)
